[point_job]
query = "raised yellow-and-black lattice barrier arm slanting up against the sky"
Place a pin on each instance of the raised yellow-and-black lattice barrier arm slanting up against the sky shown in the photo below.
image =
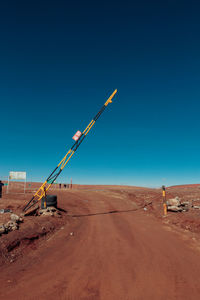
(56, 172)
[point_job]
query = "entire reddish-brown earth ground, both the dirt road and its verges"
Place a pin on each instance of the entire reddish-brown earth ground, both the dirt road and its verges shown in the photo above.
(112, 243)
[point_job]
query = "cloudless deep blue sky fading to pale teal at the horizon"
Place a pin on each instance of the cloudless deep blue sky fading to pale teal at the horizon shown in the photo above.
(60, 60)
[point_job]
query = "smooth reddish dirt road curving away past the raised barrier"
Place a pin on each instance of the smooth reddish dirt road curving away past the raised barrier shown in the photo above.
(120, 256)
